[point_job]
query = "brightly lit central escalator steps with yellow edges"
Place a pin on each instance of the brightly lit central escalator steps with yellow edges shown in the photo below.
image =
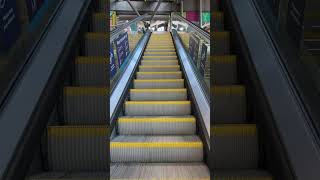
(157, 135)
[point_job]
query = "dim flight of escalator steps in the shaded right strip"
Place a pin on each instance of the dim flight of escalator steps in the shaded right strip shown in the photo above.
(236, 152)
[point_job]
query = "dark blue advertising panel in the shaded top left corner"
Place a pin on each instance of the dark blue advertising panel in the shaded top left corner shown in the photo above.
(9, 24)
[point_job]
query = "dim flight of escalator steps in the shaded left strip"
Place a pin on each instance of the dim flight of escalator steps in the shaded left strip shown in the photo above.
(75, 146)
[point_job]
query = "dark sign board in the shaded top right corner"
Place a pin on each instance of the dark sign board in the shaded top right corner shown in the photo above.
(295, 18)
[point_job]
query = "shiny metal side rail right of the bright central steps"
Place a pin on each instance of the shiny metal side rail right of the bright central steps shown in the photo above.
(196, 89)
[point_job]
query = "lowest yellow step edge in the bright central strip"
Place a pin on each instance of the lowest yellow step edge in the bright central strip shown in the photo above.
(156, 144)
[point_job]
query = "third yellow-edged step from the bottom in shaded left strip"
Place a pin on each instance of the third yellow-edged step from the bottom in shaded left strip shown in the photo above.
(91, 71)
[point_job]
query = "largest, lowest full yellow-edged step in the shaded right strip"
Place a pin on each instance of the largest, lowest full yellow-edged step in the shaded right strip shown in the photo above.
(235, 146)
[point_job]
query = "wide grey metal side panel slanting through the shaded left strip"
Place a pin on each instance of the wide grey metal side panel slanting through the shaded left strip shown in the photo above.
(18, 124)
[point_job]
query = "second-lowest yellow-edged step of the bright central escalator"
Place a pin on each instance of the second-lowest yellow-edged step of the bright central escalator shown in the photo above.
(157, 125)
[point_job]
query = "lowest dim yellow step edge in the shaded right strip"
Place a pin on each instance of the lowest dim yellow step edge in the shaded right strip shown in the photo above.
(234, 129)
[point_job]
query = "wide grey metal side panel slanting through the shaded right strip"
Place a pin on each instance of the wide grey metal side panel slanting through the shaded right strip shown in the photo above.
(290, 119)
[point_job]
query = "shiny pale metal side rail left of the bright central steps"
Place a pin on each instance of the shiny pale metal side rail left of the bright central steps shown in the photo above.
(118, 95)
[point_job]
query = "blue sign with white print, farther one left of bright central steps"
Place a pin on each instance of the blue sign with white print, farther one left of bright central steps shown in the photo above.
(122, 45)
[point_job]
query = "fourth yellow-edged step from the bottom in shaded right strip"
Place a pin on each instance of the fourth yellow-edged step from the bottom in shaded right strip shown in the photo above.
(222, 43)
